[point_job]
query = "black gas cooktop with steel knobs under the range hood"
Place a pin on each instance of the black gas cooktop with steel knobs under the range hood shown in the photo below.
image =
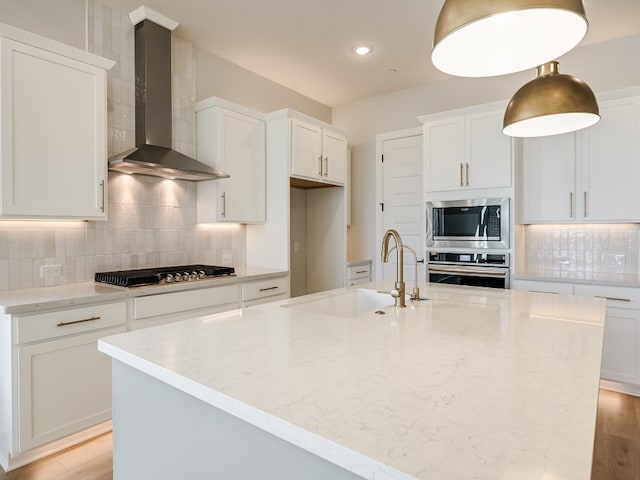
(162, 275)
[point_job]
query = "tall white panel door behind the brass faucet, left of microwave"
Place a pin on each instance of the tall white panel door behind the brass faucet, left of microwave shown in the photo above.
(404, 208)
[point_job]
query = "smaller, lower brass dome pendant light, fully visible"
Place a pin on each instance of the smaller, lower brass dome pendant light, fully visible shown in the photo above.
(551, 104)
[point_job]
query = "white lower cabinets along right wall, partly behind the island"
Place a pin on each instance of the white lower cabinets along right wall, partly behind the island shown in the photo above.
(621, 347)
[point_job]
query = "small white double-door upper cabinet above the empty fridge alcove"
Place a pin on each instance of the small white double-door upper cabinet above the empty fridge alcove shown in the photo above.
(319, 153)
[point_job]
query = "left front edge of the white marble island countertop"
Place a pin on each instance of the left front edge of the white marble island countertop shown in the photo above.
(326, 449)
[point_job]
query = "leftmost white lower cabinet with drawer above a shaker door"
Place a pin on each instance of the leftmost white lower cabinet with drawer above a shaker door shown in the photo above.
(54, 383)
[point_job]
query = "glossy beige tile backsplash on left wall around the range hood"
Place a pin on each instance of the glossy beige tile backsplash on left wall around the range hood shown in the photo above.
(151, 221)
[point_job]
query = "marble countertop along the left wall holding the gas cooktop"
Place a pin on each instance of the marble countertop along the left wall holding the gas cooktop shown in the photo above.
(75, 294)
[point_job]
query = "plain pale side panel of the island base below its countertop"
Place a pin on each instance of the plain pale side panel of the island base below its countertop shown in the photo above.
(161, 432)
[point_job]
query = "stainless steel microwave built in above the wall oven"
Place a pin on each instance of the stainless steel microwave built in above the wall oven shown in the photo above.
(472, 223)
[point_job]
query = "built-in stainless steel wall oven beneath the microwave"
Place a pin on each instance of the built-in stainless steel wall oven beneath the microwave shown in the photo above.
(472, 269)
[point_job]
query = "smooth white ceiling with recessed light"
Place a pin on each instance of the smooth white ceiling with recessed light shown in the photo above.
(306, 45)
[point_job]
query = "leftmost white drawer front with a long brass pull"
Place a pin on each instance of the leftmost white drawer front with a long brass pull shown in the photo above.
(41, 326)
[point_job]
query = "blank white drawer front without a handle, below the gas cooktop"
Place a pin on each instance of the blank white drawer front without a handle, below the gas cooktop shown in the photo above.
(169, 303)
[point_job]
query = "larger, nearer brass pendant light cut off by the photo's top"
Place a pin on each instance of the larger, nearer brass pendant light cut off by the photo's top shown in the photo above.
(484, 38)
